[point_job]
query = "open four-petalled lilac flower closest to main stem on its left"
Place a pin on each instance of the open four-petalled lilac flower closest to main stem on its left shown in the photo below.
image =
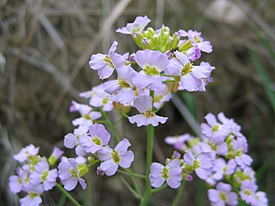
(112, 158)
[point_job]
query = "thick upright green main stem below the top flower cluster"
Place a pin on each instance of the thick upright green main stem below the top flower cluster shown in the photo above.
(149, 157)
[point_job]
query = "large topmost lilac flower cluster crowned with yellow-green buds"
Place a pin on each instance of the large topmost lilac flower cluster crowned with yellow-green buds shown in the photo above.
(163, 60)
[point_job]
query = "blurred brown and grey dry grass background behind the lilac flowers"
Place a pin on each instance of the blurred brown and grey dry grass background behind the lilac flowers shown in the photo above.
(44, 52)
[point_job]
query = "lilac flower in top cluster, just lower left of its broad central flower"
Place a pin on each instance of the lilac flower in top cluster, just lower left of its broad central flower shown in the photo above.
(123, 88)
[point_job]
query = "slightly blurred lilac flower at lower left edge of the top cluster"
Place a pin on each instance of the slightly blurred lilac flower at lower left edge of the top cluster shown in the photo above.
(99, 98)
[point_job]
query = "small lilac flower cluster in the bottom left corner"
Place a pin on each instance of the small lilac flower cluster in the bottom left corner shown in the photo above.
(34, 176)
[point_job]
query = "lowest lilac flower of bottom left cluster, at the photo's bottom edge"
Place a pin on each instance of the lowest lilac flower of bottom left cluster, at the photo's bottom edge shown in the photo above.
(33, 198)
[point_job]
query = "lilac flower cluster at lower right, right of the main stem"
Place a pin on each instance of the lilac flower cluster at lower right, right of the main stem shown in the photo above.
(219, 156)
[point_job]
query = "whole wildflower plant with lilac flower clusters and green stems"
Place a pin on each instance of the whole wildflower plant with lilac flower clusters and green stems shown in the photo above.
(145, 80)
